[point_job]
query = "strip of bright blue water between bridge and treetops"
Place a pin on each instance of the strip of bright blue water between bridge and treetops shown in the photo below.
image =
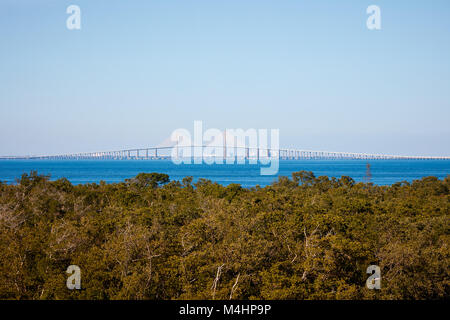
(384, 172)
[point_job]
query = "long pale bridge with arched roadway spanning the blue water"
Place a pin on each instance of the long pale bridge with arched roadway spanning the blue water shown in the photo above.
(224, 152)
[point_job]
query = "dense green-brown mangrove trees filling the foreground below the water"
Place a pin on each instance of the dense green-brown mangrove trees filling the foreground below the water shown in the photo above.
(149, 238)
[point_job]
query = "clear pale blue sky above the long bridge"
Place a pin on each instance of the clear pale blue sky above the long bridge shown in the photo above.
(137, 70)
